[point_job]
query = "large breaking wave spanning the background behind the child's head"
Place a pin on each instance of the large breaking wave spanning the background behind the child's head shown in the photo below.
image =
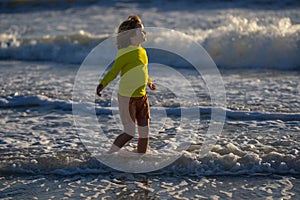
(241, 43)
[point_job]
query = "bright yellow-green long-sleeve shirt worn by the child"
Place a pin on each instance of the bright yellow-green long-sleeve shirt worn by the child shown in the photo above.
(132, 62)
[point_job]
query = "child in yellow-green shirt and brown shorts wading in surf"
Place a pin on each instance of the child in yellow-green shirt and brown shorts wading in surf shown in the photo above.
(132, 62)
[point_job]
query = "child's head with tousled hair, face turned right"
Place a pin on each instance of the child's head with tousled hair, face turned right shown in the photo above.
(134, 37)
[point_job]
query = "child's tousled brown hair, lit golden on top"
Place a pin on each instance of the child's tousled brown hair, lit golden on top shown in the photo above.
(123, 38)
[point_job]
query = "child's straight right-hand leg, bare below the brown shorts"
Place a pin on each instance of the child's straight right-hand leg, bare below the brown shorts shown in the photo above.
(143, 130)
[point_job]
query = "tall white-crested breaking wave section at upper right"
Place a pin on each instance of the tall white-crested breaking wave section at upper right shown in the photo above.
(248, 43)
